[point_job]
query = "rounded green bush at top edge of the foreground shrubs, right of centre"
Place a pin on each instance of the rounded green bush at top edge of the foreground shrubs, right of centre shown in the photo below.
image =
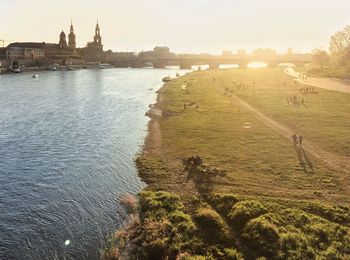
(244, 211)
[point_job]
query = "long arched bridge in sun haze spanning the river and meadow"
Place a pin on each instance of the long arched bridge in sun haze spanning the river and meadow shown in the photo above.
(187, 61)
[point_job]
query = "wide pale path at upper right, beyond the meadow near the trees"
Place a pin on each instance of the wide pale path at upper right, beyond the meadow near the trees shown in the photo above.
(326, 83)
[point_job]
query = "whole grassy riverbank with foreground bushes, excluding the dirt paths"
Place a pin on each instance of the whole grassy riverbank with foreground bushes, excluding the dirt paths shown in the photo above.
(221, 184)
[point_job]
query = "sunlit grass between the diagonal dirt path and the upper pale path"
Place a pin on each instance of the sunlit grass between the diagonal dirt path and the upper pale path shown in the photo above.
(323, 119)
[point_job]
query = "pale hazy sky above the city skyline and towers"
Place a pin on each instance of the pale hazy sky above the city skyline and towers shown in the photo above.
(183, 25)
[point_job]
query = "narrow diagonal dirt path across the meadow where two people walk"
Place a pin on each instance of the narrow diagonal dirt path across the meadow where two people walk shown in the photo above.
(336, 162)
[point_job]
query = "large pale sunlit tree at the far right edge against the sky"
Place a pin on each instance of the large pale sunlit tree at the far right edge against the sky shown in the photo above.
(340, 47)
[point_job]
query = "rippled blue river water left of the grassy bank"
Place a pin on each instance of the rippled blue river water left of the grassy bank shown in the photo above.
(67, 144)
